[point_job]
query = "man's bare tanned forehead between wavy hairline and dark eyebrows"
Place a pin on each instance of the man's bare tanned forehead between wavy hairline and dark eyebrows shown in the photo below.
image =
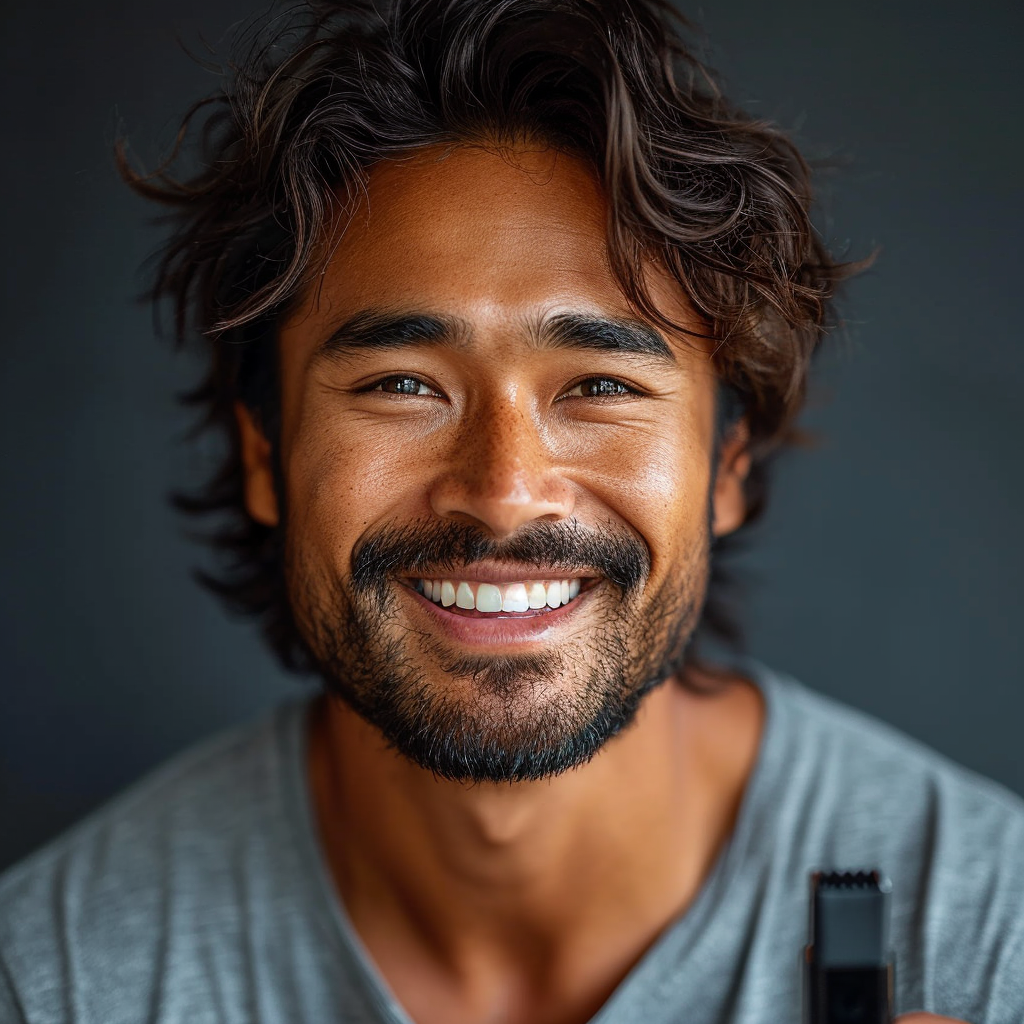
(482, 235)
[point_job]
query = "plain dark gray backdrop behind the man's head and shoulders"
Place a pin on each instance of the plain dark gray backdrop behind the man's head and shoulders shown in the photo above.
(888, 573)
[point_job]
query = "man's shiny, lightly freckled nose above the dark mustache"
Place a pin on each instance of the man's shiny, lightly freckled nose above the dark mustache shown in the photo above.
(500, 474)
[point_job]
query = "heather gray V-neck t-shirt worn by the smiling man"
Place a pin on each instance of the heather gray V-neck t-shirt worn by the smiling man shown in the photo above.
(200, 897)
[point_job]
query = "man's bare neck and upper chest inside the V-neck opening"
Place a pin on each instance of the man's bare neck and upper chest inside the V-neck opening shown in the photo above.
(536, 882)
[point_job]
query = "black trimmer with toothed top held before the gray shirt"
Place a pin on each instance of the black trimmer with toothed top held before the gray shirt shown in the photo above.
(848, 964)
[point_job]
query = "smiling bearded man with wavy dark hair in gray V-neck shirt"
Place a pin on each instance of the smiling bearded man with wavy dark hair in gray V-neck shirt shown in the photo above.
(507, 309)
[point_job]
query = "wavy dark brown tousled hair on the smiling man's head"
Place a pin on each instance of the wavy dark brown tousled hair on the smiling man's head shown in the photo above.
(323, 93)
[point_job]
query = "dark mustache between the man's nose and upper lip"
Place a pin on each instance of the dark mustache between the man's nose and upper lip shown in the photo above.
(434, 549)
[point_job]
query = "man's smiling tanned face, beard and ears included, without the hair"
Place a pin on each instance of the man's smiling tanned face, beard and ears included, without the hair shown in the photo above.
(498, 482)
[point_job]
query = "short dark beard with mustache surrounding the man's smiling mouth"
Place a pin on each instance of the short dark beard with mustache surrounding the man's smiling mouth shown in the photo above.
(517, 724)
